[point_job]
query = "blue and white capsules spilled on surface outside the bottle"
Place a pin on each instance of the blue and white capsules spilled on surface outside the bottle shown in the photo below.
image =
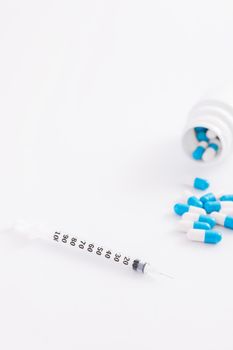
(200, 214)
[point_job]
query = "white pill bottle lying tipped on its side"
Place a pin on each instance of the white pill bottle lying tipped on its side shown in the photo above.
(214, 113)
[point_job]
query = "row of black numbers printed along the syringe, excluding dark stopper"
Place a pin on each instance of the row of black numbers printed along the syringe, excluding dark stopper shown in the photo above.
(90, 247)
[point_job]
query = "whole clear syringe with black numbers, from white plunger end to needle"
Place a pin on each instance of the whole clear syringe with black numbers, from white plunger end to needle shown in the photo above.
(63, 238)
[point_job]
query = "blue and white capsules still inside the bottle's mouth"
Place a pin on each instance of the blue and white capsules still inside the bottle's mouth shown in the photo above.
(208, 144)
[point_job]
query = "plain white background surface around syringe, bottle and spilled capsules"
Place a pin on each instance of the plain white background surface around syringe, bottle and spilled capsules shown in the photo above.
(93, 99)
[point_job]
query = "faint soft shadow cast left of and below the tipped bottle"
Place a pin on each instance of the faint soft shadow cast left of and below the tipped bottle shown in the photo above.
(167, 166)
